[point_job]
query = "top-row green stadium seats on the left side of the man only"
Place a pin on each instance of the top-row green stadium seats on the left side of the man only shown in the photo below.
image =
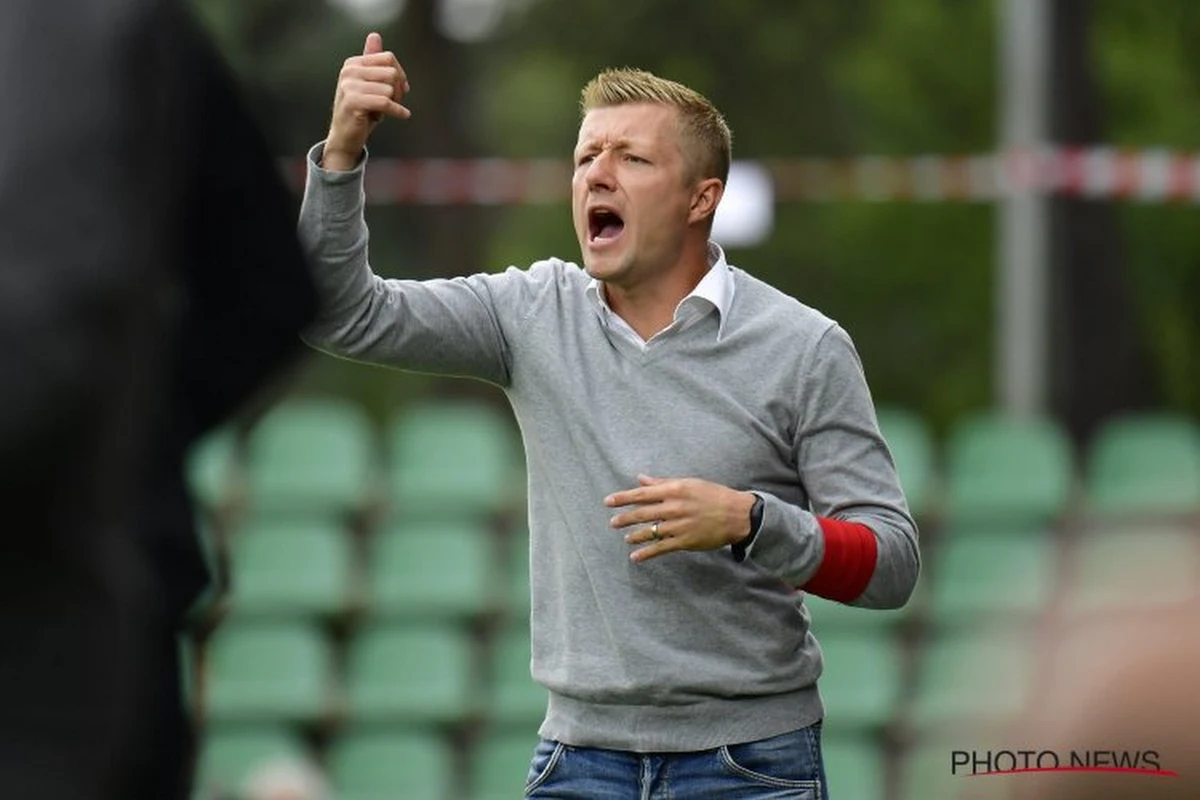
(321, 456)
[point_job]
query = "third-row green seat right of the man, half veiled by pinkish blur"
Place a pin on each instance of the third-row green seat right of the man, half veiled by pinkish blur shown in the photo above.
(974, 679)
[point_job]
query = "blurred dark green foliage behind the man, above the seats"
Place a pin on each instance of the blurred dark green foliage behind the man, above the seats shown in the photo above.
(913, 282)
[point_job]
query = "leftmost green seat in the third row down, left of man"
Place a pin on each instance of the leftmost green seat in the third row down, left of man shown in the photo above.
(269, 672)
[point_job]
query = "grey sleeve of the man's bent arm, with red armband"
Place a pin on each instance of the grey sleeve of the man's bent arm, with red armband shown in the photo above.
(849, 476)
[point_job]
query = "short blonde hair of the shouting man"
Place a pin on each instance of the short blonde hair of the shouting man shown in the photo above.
(706, 137)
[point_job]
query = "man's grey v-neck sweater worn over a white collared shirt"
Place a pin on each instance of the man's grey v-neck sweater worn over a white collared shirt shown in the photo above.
(689, 651)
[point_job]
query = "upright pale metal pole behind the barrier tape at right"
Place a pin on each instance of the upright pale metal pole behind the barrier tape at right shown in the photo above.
(1023, 230)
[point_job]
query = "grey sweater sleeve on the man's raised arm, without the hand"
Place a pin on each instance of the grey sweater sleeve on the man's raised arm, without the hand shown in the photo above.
(446, 327)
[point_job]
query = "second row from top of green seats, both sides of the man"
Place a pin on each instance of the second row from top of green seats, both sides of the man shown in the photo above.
(317, 569)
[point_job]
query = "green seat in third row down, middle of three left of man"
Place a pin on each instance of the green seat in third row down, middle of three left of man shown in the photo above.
(411, 673)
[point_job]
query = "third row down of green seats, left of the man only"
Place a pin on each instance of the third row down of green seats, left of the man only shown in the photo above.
(292, 672)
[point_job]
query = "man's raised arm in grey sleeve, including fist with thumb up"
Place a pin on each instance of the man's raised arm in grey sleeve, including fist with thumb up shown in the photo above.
(448, 327)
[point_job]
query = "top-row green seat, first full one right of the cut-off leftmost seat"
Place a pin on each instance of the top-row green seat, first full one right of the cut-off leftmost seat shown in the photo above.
(310, 455)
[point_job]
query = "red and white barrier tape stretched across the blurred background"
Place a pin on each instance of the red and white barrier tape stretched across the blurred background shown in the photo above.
(1156, 176)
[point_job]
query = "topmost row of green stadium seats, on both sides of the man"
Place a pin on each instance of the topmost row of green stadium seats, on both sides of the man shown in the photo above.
(322, 455)
